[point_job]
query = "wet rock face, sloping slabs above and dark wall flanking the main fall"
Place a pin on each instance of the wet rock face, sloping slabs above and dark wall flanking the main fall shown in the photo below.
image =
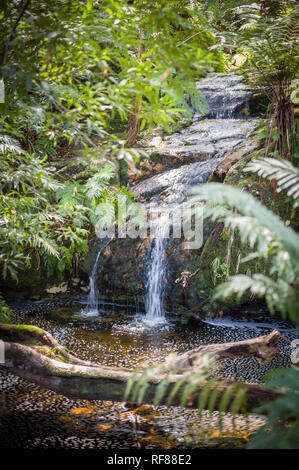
(195, 153)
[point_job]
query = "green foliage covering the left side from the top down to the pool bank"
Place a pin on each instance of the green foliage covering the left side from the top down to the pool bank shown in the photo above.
(68, 77)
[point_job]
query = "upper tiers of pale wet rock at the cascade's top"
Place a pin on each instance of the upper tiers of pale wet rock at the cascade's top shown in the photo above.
(211, 136)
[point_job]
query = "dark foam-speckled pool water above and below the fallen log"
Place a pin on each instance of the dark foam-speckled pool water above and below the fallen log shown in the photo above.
(34, 418)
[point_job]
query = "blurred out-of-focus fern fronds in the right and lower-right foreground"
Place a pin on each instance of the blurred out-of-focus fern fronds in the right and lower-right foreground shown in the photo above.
(272, 240)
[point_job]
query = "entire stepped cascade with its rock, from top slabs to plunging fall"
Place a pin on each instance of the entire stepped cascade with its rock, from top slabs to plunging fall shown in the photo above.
(186, 158)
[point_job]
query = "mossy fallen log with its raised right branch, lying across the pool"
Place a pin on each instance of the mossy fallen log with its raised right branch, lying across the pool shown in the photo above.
(50, 366)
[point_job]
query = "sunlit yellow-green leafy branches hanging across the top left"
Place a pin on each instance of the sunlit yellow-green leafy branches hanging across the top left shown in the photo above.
(99, 61)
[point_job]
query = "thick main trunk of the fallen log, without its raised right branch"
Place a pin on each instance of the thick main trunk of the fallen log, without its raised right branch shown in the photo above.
(100, 382)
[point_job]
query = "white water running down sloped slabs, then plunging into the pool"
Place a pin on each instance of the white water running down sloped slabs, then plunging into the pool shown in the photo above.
(204, 143)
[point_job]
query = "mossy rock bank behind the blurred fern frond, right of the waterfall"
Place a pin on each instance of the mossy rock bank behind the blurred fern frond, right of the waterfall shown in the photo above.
(218, 244)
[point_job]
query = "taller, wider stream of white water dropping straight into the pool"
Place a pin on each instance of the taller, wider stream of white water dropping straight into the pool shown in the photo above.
(155, 274)
